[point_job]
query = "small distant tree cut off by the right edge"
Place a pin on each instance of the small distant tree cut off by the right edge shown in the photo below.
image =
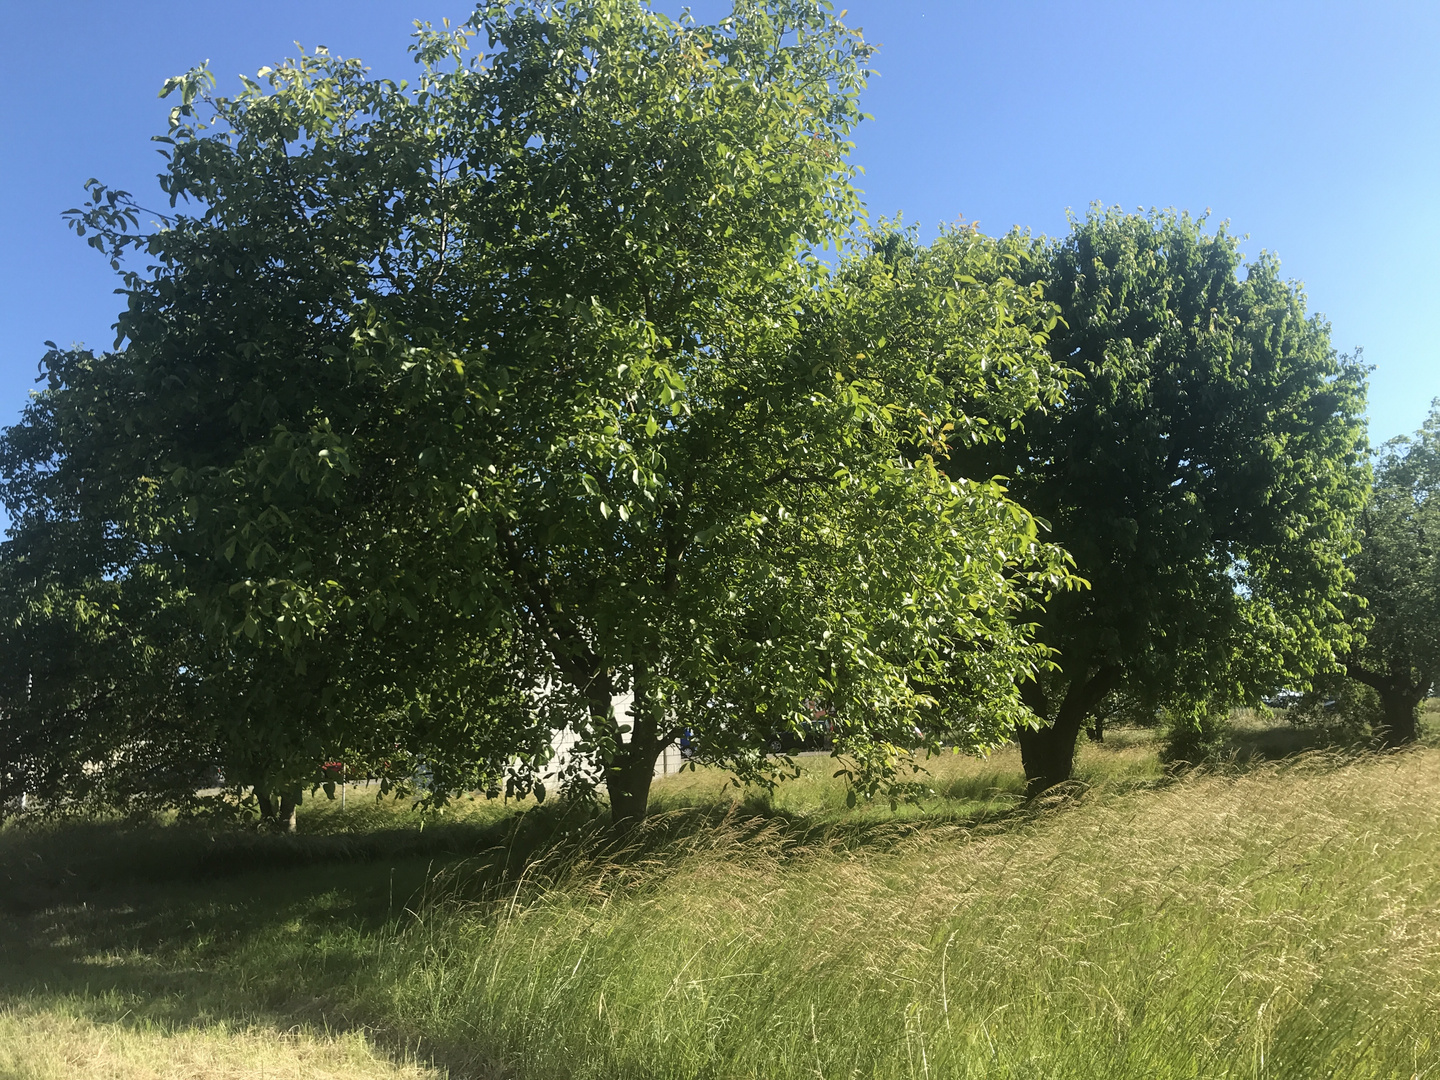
(1398, 572)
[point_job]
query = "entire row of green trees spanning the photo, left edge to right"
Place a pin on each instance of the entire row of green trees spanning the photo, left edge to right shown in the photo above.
(440, 415)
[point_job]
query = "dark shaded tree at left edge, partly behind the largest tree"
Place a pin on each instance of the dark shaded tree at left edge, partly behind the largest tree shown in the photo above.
(119, 690)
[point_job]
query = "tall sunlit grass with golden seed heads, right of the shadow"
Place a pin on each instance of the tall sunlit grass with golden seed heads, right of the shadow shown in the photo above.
(1285, 922)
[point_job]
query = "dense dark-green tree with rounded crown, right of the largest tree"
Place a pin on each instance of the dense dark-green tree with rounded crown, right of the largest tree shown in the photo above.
(1205, 470)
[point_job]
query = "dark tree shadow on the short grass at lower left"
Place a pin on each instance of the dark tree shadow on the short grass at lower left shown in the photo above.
(182, 927)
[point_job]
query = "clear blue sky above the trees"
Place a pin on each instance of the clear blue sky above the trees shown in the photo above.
(1314, 127)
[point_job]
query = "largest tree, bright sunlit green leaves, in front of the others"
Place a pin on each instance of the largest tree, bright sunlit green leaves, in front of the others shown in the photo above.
(532, 369)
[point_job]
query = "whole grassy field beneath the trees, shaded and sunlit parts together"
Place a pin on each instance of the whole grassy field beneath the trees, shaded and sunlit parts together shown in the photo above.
(1268, 921)
